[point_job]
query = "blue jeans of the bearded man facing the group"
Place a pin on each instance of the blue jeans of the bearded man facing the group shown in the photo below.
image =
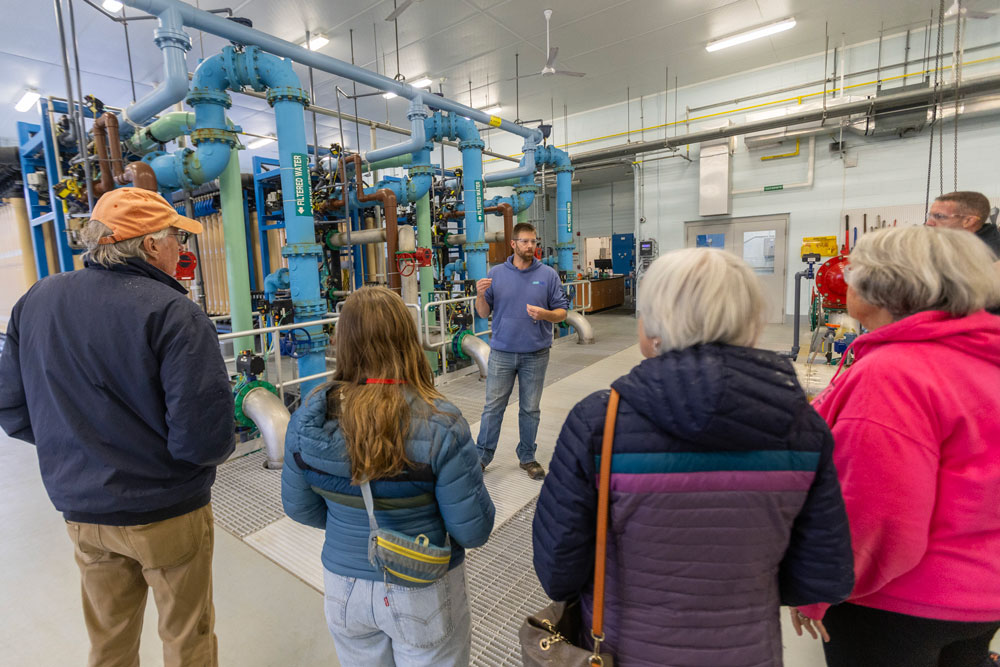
(529, 369)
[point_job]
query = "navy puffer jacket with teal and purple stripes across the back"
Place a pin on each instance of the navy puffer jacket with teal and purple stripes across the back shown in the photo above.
(724, 504)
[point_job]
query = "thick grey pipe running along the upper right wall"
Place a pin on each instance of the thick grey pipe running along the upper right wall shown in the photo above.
(969, 87)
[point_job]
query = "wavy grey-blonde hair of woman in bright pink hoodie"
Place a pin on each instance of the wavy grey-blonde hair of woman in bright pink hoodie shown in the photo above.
(908, 270)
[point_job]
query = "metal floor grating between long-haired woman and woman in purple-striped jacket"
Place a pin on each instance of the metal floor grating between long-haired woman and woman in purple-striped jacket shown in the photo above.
(503, 590)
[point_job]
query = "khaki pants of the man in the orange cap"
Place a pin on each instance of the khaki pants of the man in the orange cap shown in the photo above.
(118, 564)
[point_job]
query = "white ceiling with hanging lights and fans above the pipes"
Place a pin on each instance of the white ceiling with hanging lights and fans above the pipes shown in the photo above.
(620, 44)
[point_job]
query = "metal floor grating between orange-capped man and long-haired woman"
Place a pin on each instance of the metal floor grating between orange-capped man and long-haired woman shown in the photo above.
(246, 496)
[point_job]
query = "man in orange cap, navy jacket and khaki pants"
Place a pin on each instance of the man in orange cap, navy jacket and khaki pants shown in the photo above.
(117, 378)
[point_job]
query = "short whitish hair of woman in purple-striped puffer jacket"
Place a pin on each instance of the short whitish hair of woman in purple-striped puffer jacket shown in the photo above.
(701, 295)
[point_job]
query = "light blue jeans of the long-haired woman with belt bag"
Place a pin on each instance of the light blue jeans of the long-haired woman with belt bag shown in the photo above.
(375, 625)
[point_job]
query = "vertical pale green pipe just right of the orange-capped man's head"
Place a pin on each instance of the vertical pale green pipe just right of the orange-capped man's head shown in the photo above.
(234, 232)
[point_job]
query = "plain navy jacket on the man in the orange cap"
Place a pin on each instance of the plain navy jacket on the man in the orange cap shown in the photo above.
(117, 378)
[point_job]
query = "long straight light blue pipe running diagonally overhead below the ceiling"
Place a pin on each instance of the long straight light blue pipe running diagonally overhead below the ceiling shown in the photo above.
(216, 25)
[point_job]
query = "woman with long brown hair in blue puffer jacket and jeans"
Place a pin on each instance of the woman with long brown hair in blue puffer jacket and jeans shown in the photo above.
(382, 420)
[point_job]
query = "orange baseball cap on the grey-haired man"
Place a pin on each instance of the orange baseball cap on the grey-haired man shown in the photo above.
(134, 212)
